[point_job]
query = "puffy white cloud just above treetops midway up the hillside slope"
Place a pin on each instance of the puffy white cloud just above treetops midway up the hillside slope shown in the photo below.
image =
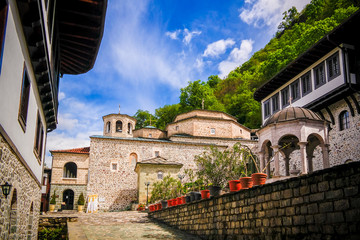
(237, 57)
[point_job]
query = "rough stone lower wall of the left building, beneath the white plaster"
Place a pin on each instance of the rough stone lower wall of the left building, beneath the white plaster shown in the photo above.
(23, 222)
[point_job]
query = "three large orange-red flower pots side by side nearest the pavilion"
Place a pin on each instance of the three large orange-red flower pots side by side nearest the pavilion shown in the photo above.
(247, 182)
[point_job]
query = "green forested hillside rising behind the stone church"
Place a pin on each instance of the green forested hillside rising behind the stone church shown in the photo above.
(234, 94)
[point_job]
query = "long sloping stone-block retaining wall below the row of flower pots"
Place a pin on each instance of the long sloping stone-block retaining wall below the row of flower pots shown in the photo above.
(321, 205)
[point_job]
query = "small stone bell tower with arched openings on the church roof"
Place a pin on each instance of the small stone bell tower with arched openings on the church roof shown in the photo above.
(119, 125)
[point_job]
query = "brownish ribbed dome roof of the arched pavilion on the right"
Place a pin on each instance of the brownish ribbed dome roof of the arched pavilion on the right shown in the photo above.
(292, 113)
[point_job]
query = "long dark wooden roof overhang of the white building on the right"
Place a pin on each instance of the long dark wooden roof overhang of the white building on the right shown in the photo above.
(344, 33)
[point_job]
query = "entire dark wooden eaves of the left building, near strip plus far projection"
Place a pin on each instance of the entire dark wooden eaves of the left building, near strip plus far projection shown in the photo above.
(78, 27)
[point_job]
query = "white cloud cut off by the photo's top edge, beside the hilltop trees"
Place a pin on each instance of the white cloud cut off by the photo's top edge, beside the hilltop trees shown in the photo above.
(268, 13)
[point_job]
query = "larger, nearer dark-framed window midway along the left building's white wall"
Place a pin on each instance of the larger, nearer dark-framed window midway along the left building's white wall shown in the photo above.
(24, 99)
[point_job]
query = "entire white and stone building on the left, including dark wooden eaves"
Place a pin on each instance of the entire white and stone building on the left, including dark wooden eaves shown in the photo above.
(39, 41)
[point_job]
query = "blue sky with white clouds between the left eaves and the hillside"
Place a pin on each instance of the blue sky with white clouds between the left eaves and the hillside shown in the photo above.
(151, 49)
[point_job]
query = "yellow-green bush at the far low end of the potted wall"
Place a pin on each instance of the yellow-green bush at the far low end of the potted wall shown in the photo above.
(168, 188)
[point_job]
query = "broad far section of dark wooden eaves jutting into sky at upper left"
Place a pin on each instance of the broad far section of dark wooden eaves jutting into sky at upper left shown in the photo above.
(80, 24)
